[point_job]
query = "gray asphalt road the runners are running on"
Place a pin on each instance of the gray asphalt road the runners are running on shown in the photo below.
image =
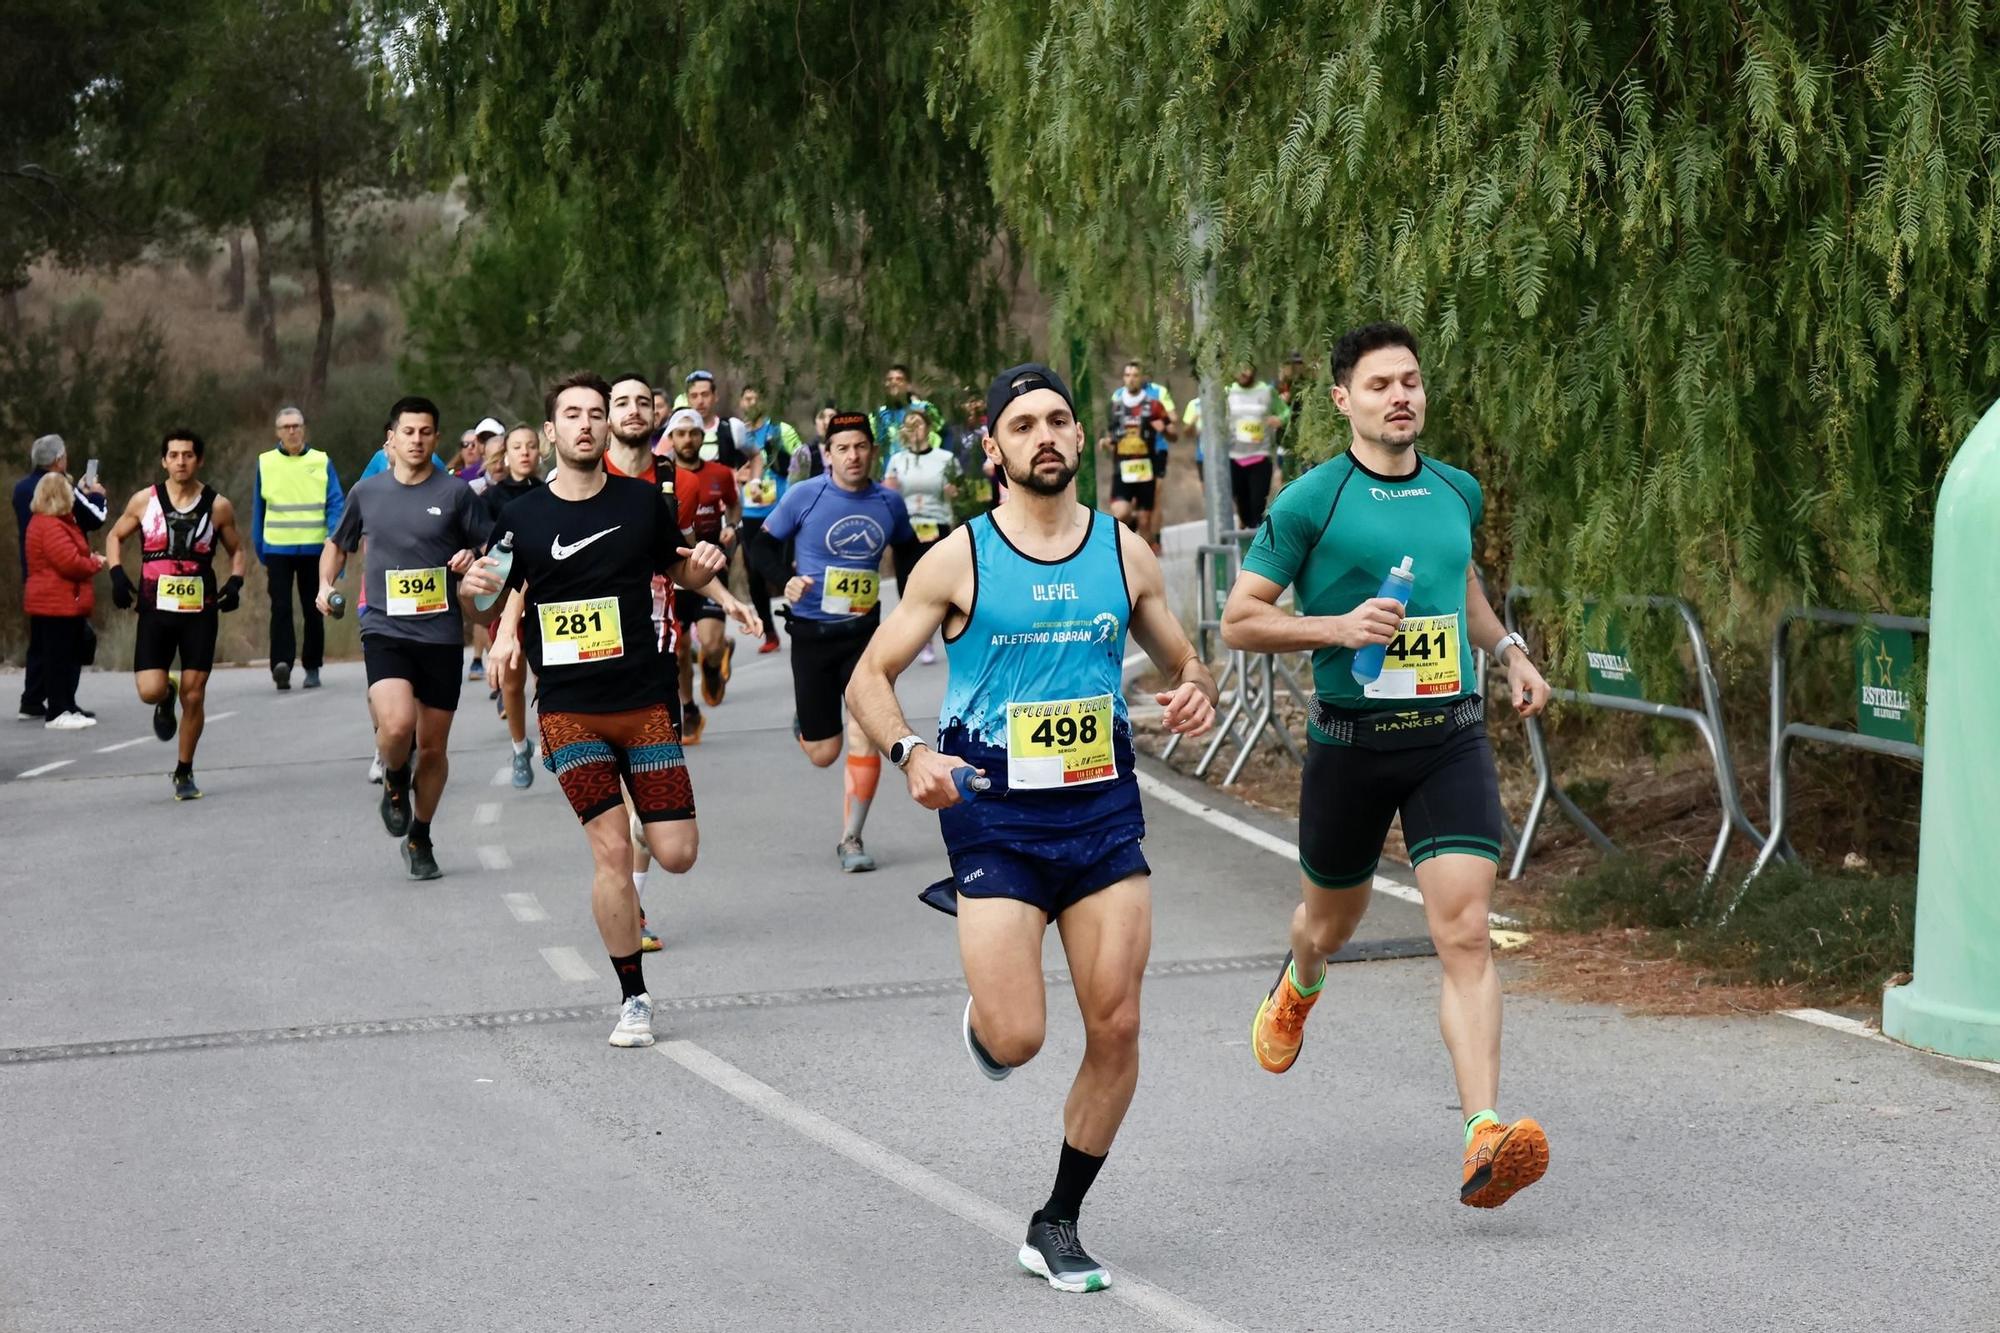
(255, 1080)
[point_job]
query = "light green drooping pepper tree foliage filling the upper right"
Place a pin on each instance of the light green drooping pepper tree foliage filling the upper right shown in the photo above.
(1707, 287)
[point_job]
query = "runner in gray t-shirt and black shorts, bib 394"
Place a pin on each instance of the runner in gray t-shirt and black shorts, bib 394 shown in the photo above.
(421, 529)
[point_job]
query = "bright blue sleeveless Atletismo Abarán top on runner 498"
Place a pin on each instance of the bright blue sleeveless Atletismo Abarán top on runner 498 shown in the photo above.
(1041, 633)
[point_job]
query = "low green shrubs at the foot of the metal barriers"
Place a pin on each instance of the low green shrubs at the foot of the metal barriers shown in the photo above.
(1835, 936)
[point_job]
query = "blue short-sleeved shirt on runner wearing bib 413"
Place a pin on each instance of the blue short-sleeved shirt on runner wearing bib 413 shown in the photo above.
(841, 531)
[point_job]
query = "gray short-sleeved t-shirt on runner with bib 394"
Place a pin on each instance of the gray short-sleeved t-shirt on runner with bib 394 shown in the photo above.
(413, 533)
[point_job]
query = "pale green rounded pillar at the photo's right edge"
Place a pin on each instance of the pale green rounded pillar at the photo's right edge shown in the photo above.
(1953, 1004)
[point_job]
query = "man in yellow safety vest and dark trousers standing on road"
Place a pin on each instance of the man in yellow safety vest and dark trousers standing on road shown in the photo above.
(297, 503)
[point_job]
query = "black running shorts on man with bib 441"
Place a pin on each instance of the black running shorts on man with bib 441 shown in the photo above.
(1447, 794)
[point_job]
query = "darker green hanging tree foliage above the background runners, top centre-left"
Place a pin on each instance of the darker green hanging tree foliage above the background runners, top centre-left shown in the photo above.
(705, 177)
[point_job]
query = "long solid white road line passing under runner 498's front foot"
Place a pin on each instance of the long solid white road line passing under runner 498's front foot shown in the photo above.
(963, 1204)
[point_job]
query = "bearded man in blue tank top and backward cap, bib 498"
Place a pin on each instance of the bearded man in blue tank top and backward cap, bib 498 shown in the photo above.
(1035, 601)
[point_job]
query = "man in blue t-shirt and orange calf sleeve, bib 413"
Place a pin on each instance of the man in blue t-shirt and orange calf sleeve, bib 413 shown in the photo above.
(839, 525)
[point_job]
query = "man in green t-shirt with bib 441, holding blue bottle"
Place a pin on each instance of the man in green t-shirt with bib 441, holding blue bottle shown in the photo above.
(1403, 734)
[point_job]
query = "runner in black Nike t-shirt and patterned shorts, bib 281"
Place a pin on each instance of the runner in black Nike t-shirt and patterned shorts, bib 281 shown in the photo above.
(581, 611)
